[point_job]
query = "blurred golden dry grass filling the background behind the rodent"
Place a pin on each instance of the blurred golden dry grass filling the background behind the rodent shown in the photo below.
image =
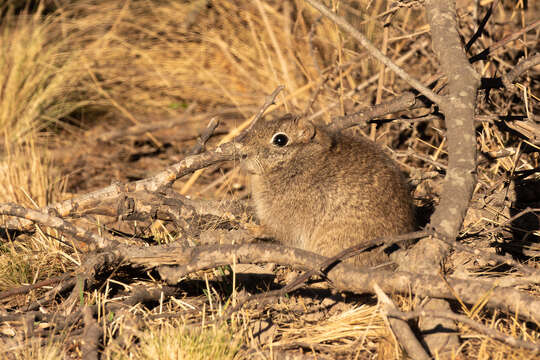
(68, 63)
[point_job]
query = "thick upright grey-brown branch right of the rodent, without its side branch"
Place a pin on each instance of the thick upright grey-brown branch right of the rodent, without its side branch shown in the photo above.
(458, 107)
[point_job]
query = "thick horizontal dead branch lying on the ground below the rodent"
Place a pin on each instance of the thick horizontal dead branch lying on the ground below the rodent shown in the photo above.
(344, 277)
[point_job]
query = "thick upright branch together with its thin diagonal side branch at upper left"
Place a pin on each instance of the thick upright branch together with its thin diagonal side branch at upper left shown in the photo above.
(458, 107)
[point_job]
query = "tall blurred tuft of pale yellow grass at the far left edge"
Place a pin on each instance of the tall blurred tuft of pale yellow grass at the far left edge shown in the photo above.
(40, 76)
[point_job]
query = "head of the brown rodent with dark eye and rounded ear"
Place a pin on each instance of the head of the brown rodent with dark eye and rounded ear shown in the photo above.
(279, 143)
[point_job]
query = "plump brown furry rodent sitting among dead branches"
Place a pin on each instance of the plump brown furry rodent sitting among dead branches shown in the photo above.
(323, 191)
